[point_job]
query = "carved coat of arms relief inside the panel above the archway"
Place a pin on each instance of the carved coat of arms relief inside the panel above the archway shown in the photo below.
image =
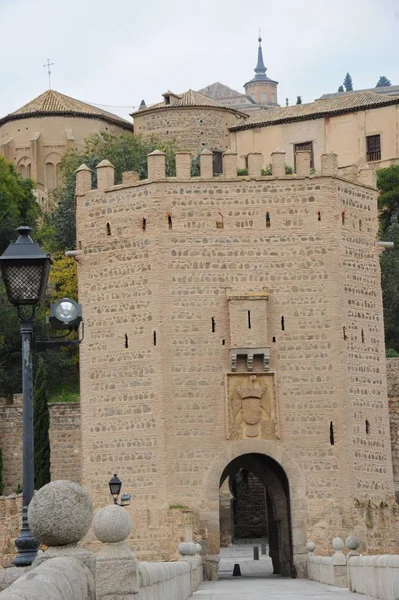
(252, 408)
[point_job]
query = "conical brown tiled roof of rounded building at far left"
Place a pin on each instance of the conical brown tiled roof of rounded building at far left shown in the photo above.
(52, 103)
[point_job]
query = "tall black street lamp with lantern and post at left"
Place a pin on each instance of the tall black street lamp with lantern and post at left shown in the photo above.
(25, 270)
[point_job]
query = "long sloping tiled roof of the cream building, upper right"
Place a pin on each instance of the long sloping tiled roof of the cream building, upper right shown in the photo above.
(315, 110)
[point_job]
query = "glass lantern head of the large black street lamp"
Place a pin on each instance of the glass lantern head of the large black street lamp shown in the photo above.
(25, 269)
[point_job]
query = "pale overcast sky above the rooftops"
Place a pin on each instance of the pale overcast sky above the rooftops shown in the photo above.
(115, 53)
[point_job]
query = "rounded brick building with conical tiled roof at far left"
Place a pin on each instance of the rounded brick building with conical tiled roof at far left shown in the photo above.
(37, 135)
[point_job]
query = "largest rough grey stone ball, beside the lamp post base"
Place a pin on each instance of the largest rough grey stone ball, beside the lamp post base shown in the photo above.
(60, 513)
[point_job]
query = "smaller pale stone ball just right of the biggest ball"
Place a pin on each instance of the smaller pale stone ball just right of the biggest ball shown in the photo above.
(112, 524)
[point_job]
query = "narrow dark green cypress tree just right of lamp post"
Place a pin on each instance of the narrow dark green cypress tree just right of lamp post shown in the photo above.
(41, 425)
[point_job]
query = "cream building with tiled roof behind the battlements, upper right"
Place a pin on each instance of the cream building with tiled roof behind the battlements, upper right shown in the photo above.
(361, 128)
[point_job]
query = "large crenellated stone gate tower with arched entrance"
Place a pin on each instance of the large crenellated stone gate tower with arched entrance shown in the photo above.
(236, 323)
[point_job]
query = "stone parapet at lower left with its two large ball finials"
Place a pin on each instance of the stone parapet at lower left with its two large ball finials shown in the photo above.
(60, 515)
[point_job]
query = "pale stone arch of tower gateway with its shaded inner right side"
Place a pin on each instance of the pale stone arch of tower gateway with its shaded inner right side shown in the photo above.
(285, 485)
